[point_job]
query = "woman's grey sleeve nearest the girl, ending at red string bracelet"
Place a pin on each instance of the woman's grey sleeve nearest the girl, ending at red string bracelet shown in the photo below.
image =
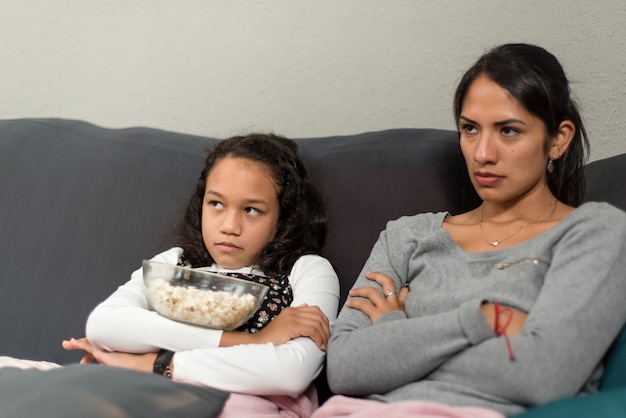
(423, 343)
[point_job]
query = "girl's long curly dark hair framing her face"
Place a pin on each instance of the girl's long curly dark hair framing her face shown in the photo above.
(302, 221)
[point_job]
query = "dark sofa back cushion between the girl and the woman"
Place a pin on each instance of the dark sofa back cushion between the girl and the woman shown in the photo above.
(371, 178)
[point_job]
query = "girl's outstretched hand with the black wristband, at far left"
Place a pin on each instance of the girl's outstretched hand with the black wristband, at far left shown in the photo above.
(139, 362)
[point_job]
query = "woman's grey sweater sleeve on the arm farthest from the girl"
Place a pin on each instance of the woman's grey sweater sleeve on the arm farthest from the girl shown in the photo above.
(577, 315)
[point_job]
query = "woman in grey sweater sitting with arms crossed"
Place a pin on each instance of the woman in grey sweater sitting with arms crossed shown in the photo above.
(510, 305)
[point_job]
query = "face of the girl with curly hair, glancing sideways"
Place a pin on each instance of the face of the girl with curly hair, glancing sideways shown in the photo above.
(239, 212)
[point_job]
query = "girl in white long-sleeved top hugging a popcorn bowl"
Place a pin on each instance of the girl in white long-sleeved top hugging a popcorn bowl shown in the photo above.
(254, 214)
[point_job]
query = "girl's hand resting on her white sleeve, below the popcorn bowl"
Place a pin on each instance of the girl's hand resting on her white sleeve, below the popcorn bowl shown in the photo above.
(291, 323)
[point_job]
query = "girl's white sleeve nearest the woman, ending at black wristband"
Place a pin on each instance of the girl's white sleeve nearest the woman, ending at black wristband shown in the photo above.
(264, 369)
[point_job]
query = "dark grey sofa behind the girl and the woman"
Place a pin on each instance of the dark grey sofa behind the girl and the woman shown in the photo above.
(82, 205)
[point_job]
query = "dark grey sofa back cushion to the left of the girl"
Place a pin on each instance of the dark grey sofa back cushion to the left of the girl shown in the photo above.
(81, 207)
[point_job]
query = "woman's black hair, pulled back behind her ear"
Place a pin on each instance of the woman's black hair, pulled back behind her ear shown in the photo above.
(537, 80)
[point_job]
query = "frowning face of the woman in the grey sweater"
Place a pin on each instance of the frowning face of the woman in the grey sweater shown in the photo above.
(504, 145)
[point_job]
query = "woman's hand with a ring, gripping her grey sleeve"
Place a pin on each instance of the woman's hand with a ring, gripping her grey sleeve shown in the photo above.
(372, 302)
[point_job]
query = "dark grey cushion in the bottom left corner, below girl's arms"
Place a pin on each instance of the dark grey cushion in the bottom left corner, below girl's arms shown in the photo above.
(94, 391)
